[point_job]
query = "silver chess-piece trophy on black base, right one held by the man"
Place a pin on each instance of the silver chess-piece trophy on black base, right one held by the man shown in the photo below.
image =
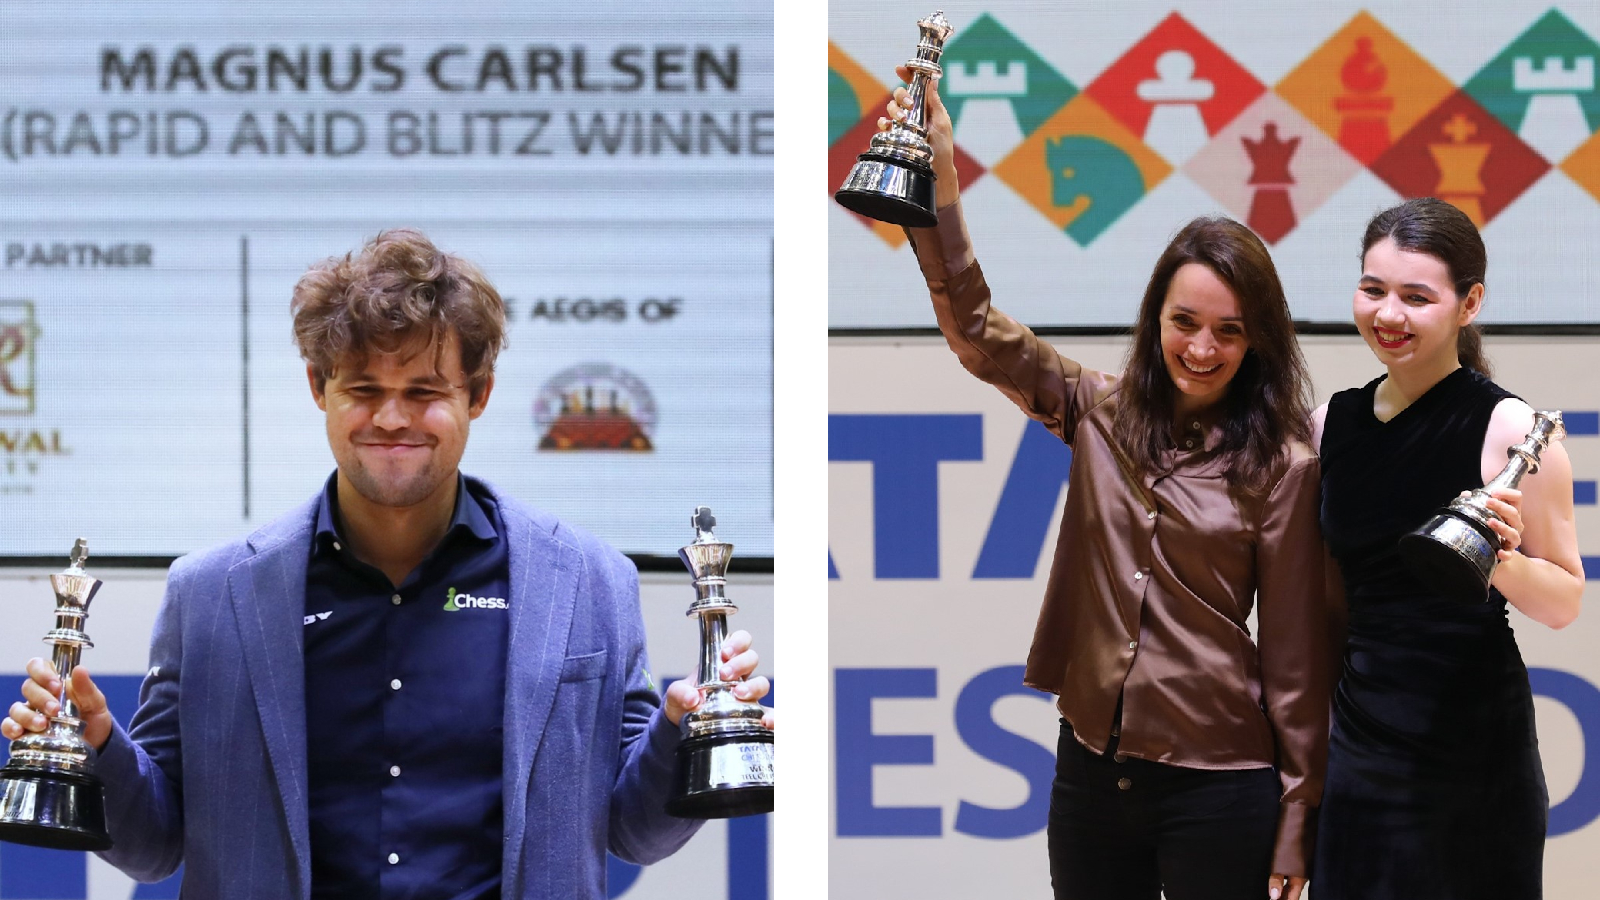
(726, 761)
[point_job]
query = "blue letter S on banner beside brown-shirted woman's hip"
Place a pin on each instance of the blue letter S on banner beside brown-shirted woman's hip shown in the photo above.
(977, 725)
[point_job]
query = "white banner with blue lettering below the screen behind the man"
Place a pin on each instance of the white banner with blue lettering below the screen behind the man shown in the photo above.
(727, 861)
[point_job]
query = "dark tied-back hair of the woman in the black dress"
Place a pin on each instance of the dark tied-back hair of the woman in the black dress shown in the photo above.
(1447, 235)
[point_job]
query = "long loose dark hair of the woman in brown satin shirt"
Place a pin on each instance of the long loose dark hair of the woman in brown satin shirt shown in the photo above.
(1268, 401)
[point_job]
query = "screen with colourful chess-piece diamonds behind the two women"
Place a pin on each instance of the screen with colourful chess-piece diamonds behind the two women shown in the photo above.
(1086, 137)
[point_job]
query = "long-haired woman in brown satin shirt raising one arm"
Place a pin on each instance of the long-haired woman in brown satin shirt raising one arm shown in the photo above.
(1191, 758)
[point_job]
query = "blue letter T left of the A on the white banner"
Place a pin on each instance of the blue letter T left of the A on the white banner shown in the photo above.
(905, 452)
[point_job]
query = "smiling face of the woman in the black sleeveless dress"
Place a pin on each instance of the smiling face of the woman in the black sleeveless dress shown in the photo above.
(1407, 308)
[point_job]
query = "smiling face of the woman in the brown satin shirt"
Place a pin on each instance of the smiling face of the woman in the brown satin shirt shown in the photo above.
(1202, 335)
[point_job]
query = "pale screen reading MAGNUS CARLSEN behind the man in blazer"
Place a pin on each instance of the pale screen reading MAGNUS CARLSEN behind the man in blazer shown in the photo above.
(170, 169)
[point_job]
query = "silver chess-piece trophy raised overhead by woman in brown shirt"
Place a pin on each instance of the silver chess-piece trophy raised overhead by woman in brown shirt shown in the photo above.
(894, 180)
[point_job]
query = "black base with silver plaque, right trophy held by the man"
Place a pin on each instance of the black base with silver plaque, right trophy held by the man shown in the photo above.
(724, 776)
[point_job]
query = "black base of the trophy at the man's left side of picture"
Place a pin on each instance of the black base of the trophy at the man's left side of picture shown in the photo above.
(52, 810)
